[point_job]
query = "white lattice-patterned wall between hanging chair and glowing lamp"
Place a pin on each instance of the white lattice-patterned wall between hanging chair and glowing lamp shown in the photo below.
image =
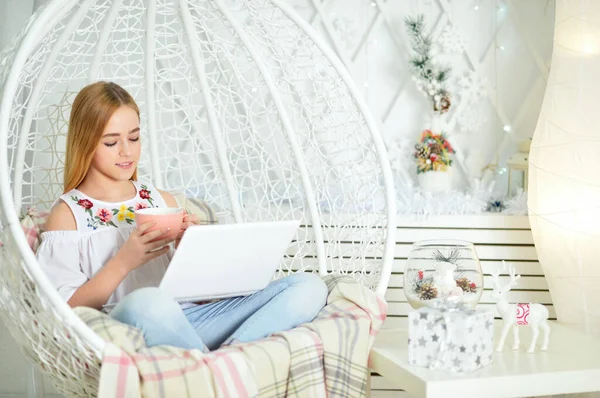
(508, 43)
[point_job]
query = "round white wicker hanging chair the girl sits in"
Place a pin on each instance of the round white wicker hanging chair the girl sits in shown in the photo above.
(241, 105)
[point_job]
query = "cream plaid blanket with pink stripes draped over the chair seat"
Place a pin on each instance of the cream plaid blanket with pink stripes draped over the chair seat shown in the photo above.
(325, 358)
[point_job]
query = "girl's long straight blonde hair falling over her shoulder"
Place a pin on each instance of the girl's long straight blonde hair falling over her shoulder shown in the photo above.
(92, 109)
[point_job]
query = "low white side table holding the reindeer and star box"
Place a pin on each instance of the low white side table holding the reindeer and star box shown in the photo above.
(571, 365)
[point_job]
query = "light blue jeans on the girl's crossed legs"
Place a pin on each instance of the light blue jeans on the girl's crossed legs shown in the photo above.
(282, 305)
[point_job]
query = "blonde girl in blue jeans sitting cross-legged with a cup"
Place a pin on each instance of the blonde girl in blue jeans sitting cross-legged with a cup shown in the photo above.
(94, 255)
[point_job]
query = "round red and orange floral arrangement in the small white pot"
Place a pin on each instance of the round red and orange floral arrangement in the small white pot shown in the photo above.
(432, 153)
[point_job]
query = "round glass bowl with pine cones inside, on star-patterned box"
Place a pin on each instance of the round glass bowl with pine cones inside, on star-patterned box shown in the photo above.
(438, 269)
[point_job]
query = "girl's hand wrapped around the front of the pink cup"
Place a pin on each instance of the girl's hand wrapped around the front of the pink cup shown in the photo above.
(139, 248)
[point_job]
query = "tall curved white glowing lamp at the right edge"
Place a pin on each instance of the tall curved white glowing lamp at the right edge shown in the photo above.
(564, 168)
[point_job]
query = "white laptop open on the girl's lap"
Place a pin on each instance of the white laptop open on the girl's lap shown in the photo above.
(218, 261)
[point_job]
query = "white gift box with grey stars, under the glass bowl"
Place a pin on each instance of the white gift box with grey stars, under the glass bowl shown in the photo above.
(460, 340)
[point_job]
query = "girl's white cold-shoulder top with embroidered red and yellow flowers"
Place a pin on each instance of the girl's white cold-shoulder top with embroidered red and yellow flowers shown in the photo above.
(71, 258)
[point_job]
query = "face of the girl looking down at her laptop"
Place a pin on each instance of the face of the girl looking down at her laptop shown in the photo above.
(118, 152)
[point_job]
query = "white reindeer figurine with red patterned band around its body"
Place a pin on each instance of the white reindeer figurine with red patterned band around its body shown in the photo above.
(535, 315)
